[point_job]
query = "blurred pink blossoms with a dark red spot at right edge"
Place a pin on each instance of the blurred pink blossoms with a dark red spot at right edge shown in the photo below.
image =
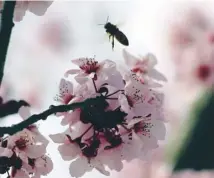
(191, 47)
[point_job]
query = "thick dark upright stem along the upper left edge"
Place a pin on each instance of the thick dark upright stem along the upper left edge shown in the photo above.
(5, 33)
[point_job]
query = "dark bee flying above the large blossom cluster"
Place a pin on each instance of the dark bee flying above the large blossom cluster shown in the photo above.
(114, 32)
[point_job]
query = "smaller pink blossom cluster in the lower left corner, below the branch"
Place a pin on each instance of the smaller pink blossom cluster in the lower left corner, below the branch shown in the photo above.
(23, 155)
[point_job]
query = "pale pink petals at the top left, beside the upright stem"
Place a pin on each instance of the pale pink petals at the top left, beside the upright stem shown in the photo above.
(37, 7)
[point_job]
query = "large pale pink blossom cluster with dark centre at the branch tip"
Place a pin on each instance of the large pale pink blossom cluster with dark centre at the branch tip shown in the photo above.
(125, 121)
